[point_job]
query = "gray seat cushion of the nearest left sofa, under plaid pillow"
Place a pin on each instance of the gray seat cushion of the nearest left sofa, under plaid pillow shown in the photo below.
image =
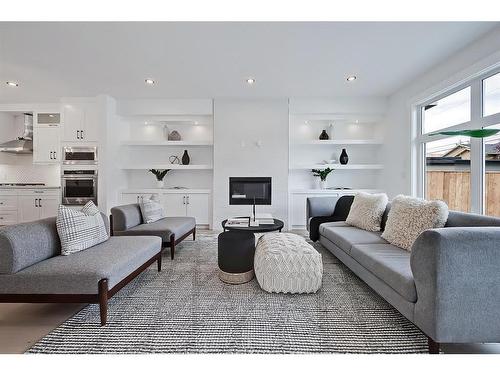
(80, 273)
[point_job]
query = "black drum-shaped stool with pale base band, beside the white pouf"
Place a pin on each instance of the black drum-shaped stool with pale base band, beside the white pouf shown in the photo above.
(236, 250)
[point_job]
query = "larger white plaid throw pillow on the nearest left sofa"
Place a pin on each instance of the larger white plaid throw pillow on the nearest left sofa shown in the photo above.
(80, 229)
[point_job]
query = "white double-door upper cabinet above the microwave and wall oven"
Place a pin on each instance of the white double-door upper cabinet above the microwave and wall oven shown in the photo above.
(80, 122)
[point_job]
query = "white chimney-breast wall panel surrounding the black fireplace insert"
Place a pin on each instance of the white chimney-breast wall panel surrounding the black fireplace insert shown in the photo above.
(238, 125)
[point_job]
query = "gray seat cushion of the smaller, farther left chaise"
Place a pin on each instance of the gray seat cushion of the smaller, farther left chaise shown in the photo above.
(162, 228)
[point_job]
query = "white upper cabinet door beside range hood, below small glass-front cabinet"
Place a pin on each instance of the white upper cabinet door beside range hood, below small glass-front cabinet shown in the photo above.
(46, 144)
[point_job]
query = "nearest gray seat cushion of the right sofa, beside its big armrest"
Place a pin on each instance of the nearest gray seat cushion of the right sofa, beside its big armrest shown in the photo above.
(389, 263)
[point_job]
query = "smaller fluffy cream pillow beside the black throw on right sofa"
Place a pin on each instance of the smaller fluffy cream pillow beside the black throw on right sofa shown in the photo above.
(367, 210)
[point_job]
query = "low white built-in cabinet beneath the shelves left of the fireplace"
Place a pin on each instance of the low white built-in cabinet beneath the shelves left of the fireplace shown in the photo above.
(189, 202)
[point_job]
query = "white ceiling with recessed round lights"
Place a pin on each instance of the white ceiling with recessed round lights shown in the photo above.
(203, 60)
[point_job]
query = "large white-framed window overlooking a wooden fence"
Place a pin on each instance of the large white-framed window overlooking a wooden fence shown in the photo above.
(462, 171)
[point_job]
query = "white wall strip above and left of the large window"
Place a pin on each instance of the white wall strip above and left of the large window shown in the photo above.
(398, 143)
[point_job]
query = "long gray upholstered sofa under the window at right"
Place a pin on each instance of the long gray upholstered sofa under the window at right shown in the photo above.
(448, 285)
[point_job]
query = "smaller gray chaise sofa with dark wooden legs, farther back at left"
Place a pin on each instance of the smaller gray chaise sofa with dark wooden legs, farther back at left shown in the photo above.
(127, 221)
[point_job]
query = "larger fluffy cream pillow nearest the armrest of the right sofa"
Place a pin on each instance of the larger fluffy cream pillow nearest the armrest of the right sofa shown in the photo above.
(409, 217)
